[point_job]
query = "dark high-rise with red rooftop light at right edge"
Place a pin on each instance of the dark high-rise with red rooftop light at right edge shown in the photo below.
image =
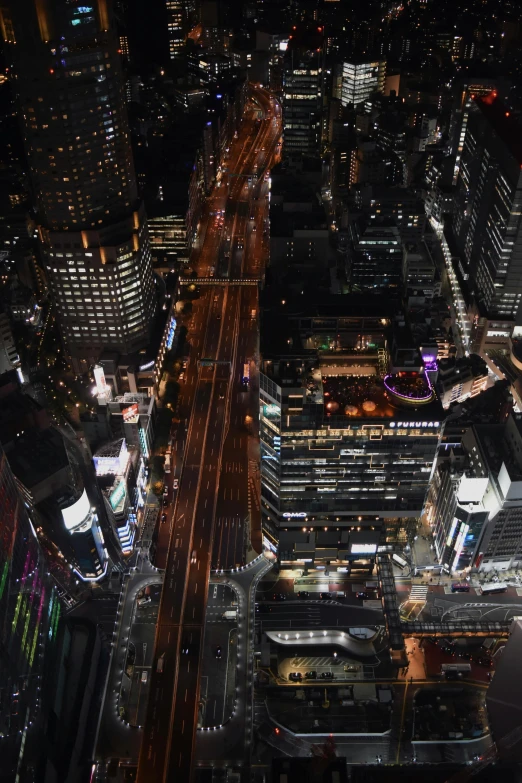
(488, 215)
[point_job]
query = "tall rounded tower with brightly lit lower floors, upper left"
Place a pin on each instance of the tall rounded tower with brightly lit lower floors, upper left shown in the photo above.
(92, 228)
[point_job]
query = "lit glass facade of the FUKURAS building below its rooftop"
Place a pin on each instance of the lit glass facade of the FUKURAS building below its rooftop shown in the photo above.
(331, 469)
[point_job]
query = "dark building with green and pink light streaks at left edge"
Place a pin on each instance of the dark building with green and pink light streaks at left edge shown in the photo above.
(29, 613)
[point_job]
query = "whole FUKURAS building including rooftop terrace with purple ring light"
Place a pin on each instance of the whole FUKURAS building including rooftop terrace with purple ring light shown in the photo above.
(349, 423)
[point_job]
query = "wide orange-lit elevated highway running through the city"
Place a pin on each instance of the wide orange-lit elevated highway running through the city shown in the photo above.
(212, 431)
